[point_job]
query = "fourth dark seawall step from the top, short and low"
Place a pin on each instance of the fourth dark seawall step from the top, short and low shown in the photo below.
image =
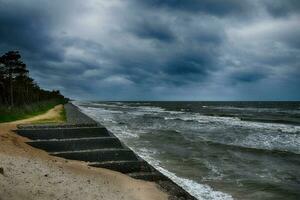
(125, 166)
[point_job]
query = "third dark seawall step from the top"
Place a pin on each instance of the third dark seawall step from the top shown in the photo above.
(98, 155)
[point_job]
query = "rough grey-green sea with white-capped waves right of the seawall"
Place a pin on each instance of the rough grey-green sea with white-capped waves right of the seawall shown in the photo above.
(215, 150)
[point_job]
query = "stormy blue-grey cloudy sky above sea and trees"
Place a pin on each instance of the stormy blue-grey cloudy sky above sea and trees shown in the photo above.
(158, 49)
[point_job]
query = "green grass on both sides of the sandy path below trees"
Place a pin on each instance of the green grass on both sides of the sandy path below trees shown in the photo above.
(27, 111)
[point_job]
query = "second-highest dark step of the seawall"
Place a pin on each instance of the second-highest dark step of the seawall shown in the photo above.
(76, 144)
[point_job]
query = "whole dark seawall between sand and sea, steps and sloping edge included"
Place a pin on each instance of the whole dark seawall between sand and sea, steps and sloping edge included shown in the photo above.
(82, 138)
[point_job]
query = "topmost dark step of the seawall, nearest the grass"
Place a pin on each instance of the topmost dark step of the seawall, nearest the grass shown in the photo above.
(63, 133)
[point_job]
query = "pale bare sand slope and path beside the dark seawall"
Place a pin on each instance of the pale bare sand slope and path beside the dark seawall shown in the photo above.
(30, 173)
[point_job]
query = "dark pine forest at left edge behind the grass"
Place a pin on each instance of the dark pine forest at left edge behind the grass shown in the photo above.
(16, 87)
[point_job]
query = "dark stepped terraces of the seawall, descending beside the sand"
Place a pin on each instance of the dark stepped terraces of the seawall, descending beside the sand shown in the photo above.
(95, 145)
